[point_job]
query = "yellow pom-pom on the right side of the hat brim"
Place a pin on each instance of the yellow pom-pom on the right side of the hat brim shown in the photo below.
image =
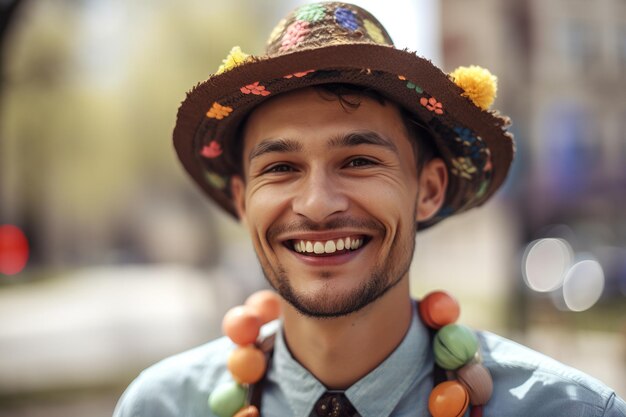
(477, 83)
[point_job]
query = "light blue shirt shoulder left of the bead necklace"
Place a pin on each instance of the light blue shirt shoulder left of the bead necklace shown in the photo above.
(178, 385)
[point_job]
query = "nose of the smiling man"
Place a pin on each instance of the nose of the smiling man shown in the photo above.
(319, 197)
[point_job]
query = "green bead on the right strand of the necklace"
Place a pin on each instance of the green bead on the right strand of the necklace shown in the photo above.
(454, 346)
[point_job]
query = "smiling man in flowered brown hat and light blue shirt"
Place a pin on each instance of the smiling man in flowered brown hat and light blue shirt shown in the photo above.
(333, 150)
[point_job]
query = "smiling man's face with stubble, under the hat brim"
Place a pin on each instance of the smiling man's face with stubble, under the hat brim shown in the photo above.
(330, 199)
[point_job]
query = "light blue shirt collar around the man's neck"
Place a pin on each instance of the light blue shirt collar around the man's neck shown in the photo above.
(390, 380)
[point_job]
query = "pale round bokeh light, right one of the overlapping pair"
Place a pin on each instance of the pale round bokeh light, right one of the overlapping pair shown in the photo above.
(583, 285)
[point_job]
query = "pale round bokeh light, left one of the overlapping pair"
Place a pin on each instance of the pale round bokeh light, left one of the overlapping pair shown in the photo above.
(545, 263)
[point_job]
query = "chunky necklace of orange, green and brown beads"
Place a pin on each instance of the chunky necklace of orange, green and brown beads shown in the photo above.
(460, 379)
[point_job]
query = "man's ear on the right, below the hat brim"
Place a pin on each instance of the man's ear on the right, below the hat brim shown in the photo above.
(433, 182)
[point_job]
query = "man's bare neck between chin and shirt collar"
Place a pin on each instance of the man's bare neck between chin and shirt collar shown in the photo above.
(340, 351)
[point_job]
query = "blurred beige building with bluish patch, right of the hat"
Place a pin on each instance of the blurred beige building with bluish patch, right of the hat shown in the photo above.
(562, 67)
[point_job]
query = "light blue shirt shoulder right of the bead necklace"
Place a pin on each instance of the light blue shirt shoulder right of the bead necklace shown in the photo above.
(529, 383)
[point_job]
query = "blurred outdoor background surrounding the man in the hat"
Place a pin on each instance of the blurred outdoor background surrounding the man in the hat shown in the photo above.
(112, 259)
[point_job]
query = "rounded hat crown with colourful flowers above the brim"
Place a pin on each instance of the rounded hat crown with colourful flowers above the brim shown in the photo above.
(322, 24)
